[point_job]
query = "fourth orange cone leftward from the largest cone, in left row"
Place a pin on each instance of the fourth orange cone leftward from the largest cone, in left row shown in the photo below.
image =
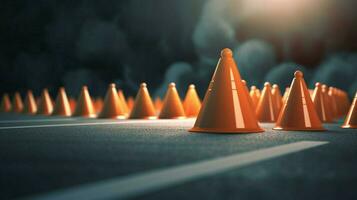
(112, 105)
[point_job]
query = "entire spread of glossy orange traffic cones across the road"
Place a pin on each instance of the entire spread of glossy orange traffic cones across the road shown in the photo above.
(228, 106)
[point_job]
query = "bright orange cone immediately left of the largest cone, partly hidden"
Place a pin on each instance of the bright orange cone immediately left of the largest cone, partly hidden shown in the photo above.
(192, 102)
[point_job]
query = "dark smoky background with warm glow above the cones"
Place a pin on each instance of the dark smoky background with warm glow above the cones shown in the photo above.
(72, 43)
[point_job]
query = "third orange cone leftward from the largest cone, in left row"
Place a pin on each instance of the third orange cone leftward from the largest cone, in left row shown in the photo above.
(143, 107)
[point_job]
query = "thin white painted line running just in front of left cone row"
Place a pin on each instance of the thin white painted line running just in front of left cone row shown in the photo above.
(96, 124)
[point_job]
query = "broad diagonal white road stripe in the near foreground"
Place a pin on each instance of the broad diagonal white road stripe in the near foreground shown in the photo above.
(141, 183)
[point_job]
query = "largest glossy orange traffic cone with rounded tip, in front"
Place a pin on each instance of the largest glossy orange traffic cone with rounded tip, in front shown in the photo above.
(226, 107)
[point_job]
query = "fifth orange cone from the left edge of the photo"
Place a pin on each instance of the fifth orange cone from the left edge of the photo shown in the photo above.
(62, 106)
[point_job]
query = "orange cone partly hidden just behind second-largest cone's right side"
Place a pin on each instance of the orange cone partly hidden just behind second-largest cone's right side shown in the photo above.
(320, 101)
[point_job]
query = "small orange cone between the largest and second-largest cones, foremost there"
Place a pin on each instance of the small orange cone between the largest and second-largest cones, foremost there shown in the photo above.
(267, 108)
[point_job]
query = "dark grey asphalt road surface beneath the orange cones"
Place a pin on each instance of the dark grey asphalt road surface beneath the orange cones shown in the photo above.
(41, 155)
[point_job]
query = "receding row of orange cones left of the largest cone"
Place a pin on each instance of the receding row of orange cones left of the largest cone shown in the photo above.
(114, 105)
